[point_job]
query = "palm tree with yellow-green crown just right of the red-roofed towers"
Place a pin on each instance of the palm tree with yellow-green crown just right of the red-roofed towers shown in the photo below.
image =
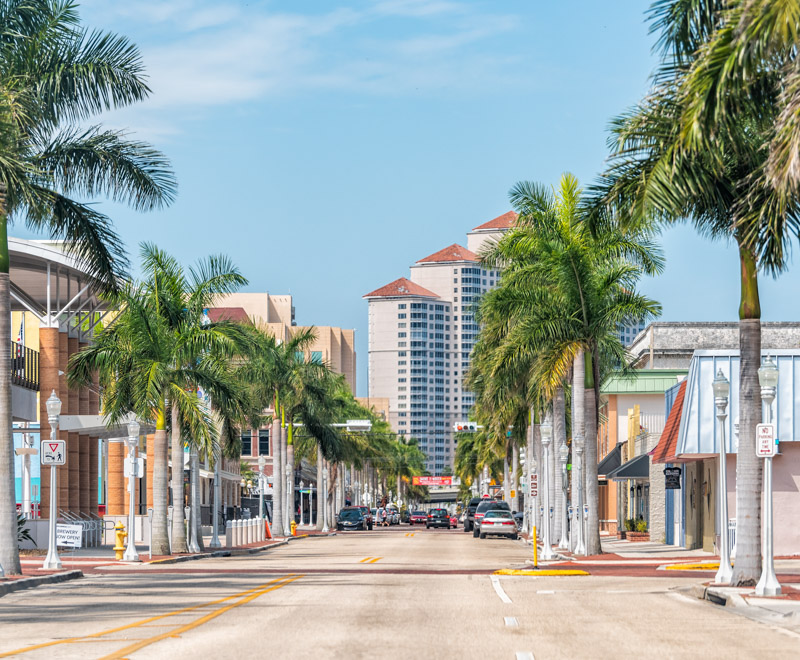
(566, 286)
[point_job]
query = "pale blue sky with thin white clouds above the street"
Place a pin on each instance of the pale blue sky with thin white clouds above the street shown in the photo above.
(327, 146)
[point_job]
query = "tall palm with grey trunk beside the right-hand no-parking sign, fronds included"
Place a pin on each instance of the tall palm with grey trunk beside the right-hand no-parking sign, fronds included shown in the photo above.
(720, 185)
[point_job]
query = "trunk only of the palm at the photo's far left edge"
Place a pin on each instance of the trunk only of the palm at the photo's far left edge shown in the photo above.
(9, 548)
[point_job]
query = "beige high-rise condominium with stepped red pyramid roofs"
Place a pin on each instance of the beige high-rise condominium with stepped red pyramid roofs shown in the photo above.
(421, 334)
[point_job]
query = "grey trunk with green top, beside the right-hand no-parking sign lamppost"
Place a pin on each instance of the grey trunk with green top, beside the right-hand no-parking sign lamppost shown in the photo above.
(747, 569)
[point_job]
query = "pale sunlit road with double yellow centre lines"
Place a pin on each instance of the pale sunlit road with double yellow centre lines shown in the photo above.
(393, 593)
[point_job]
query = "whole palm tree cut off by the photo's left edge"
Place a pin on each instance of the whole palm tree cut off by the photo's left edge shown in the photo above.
(54, 76)
